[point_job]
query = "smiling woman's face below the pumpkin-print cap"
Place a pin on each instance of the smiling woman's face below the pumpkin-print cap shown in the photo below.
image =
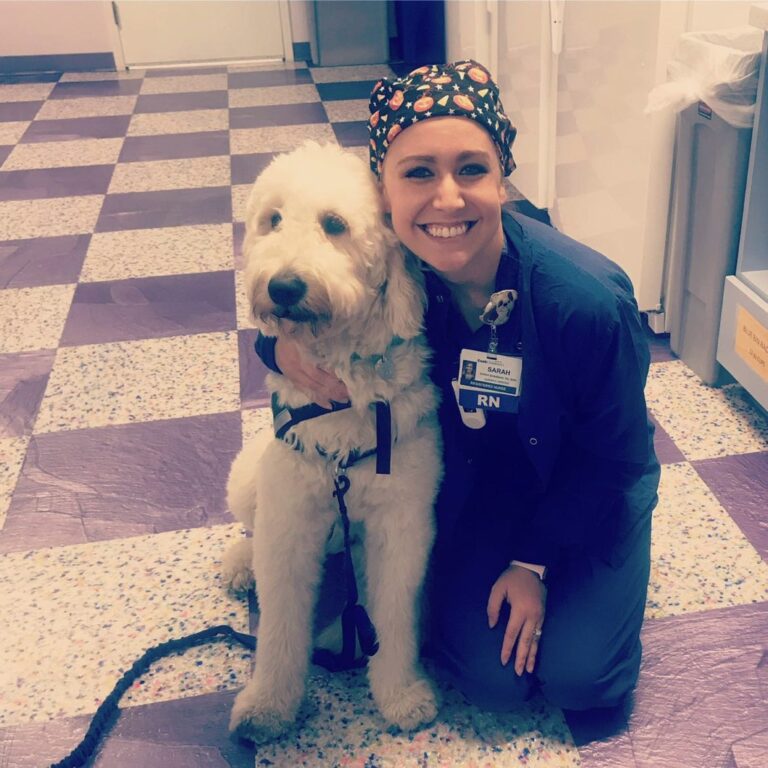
(442, 185)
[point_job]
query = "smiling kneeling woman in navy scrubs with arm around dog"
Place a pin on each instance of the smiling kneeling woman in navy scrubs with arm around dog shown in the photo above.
(542, 556)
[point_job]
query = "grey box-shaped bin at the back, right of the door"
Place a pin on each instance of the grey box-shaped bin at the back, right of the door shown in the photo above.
(351, 32)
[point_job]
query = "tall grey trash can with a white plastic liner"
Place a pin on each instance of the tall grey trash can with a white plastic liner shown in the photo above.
(713, 86)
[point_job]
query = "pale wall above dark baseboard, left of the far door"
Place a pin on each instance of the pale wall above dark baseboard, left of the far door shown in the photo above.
(37, 28)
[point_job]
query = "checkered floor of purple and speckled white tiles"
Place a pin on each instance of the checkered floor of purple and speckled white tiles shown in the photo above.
(127, 382)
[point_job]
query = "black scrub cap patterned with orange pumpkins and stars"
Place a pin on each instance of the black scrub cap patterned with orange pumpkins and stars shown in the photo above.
(463, 88)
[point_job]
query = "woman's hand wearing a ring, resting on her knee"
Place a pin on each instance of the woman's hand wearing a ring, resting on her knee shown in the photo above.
(526, 595)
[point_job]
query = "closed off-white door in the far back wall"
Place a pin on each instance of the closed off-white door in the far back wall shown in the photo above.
(182, 32)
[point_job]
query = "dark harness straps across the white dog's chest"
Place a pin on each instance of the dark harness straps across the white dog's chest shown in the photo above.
(285, 418)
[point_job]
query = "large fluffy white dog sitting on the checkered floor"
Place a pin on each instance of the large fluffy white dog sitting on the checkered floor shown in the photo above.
(323, 267)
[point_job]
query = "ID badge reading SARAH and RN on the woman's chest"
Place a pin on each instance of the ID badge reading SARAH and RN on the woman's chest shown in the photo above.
(489, 381)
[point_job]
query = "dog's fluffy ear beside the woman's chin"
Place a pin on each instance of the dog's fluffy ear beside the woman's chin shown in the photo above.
(404, 297)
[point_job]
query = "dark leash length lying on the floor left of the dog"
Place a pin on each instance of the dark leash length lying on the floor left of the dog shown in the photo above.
(106, 714)
